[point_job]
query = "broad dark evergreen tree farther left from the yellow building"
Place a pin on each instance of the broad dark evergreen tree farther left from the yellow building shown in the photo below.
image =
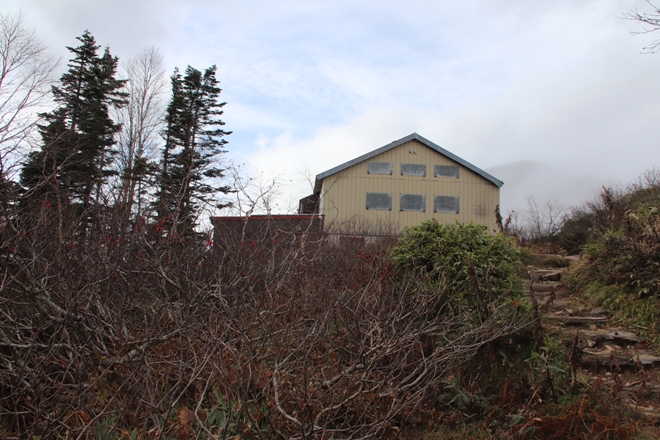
(77, 137)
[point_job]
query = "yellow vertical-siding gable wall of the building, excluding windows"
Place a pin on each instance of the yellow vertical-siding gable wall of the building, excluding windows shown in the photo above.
(344, 194)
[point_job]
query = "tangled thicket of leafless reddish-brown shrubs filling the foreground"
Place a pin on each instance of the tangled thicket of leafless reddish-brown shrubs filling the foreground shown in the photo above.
(271, 334)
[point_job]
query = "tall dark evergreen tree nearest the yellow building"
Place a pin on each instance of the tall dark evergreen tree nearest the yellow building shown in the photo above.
(193, 142)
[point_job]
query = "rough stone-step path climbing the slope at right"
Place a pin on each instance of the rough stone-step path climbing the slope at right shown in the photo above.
(600, 349)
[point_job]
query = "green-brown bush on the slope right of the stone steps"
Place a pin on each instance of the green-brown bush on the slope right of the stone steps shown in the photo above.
(621, 265)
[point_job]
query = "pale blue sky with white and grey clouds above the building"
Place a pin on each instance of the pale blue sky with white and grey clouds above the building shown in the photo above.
(552, 97)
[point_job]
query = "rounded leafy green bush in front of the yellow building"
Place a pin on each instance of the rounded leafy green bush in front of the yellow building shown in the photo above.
(475, 275)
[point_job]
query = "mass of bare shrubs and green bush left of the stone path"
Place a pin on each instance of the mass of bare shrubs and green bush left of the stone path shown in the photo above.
(272, 335)
